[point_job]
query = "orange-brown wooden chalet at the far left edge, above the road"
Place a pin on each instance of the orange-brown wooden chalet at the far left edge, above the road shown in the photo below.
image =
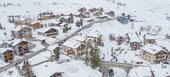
(6, 54)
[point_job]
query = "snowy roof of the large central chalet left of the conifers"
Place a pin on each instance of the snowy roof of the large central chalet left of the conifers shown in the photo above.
(72, 43)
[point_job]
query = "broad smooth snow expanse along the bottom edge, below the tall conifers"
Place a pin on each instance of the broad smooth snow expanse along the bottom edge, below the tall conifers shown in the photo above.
(70, 69)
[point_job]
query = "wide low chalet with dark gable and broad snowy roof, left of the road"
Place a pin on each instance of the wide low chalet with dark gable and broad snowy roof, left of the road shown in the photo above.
(49, 32)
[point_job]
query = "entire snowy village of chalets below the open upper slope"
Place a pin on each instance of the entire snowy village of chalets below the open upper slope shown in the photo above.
(52, 44)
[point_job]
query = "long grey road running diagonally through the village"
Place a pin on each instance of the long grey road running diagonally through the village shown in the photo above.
(59, 42)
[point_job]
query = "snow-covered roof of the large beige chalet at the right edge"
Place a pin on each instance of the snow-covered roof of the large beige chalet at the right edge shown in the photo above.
(153, 49)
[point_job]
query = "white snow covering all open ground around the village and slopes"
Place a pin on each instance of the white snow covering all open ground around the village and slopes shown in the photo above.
(155, 13)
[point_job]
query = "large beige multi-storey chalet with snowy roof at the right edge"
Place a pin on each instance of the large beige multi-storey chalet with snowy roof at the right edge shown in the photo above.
(154, 53)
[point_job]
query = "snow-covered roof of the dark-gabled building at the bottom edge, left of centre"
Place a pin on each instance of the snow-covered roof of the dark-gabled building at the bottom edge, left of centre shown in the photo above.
(47, 69)
